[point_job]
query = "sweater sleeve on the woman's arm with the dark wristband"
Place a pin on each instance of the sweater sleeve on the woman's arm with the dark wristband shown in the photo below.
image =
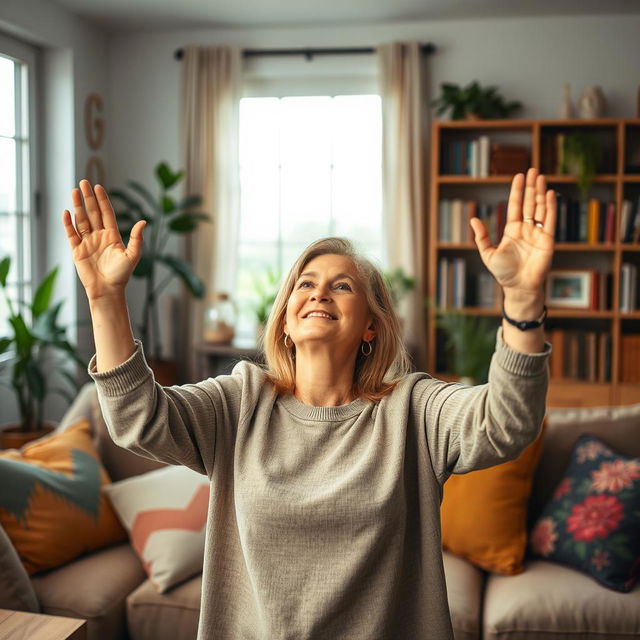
(473, 427)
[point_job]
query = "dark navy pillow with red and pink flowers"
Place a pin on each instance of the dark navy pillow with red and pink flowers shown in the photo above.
(592, 522)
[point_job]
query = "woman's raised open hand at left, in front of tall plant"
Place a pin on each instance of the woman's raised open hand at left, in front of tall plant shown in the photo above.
(103, 263)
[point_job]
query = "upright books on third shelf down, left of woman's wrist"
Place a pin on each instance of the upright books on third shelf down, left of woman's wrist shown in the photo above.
(457, 288)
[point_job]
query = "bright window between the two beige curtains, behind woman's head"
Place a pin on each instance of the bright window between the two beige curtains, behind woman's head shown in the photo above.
(310, 166)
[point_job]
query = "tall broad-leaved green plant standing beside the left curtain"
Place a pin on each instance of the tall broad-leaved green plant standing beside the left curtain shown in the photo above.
(165, 216)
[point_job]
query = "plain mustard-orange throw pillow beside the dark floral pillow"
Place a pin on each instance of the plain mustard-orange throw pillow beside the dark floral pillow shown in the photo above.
(484, 513)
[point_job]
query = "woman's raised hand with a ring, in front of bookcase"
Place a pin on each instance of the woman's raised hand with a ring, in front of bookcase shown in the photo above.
(522, 259)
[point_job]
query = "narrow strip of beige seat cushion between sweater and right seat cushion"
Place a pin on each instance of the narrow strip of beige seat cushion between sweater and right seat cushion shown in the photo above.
(465, 583)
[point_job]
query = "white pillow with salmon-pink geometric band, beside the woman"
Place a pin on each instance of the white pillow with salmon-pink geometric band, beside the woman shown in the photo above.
(165, 513)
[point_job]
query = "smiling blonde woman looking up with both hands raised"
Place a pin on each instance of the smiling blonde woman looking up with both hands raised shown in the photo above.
(326, 469)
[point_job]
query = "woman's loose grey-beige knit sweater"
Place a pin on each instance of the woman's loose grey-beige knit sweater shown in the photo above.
(324, 522)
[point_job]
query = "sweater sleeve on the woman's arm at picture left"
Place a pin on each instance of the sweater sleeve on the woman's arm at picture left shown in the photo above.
(177, 424)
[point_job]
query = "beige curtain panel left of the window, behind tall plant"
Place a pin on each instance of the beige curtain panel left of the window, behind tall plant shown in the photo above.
(211, 91)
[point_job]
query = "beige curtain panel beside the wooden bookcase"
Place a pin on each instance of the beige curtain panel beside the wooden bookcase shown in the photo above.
(405, 118)
